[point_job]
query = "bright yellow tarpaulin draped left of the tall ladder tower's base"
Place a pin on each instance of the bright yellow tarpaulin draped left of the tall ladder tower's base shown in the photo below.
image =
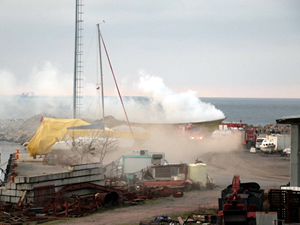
(49, 133)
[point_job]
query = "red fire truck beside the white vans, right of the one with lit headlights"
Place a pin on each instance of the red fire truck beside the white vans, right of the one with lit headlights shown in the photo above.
(248, 134)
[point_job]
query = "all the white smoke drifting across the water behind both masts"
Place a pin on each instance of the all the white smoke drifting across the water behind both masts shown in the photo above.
(160, 104)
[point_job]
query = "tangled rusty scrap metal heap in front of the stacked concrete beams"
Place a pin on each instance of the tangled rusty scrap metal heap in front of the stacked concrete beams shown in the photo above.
(70, 202)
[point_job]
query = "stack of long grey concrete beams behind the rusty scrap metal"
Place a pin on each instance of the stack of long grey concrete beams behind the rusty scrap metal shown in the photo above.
(30, 177)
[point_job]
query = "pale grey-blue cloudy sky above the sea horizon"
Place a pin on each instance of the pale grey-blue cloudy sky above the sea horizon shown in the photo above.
(233, 48)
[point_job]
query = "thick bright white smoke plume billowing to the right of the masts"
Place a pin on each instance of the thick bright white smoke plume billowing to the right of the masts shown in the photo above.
(166, 106)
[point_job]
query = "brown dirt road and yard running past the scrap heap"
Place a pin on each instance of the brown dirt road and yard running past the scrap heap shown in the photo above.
(269, 171)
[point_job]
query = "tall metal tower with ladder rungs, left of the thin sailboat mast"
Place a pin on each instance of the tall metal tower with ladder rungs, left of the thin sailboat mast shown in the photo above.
(78, 60)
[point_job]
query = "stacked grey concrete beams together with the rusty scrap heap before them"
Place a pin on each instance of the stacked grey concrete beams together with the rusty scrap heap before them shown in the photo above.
(34, 191)
